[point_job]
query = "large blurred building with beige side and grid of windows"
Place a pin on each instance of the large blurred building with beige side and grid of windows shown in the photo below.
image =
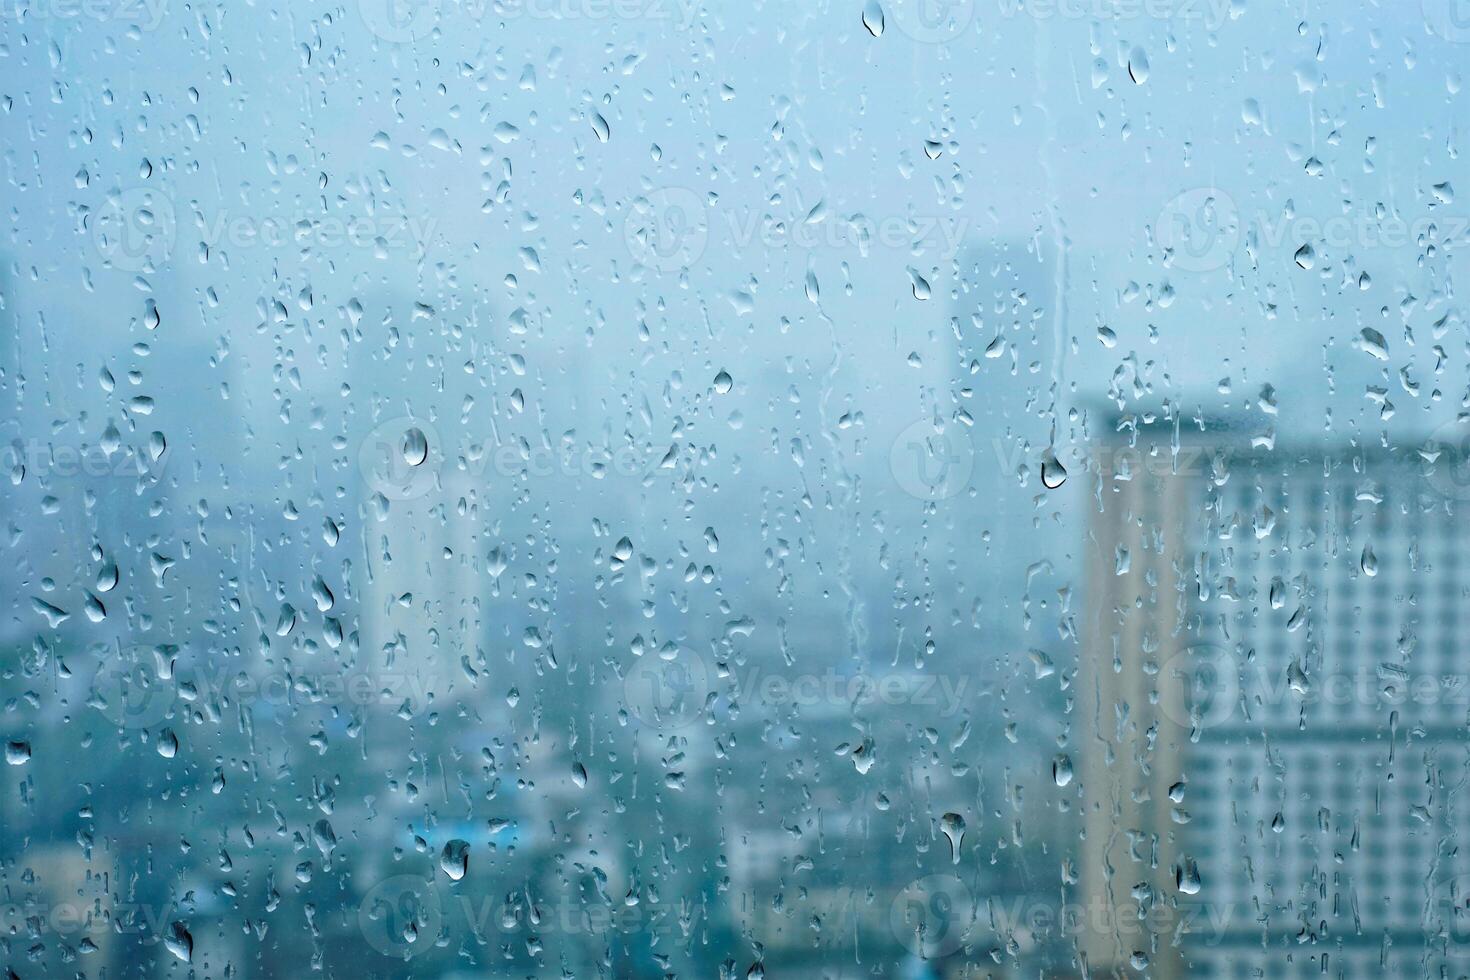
(1275, 709)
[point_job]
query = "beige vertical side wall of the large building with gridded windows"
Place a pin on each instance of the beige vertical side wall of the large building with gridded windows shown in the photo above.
(1139, 569)
